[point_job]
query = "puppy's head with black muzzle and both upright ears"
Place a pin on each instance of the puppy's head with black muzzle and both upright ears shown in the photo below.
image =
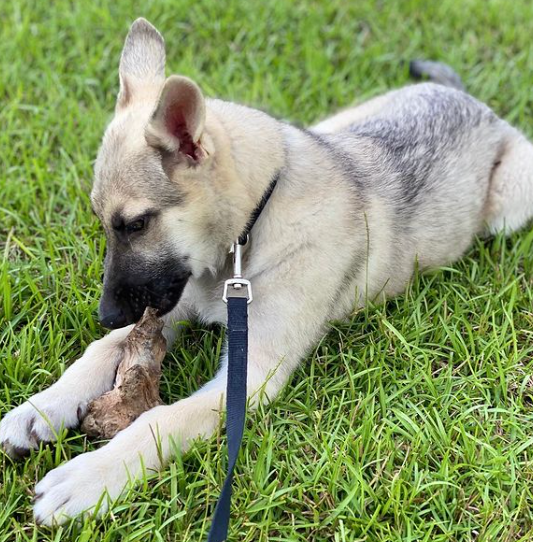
(153, 188)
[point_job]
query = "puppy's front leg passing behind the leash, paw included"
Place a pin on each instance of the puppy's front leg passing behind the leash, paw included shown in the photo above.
(149, 442)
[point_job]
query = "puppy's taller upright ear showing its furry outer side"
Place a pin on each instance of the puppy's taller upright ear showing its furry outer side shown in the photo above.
(142, 62)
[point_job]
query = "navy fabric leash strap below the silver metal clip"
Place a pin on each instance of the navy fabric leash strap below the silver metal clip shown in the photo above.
(235, 407)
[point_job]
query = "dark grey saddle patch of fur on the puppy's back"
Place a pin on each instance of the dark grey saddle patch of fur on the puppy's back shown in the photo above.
(418, 134)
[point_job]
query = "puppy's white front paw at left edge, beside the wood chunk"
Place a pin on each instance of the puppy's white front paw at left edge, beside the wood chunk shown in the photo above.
(38, 420)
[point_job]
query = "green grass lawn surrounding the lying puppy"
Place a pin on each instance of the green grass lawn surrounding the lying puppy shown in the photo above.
(411, 422)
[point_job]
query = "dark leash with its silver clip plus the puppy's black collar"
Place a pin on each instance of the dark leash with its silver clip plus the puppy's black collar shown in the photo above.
(237, 294)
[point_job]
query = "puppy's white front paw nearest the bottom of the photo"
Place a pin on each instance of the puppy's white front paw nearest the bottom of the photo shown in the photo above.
(86, 484)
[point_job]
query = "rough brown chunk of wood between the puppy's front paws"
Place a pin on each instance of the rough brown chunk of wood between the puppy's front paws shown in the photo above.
(136, 383)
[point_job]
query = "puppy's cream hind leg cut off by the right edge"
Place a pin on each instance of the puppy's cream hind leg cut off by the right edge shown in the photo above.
(510, 198)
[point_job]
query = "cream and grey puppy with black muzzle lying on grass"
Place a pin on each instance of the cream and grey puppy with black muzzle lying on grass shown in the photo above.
(409, 178)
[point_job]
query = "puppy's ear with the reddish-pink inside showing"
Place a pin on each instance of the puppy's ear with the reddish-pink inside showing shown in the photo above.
(178, 121)
